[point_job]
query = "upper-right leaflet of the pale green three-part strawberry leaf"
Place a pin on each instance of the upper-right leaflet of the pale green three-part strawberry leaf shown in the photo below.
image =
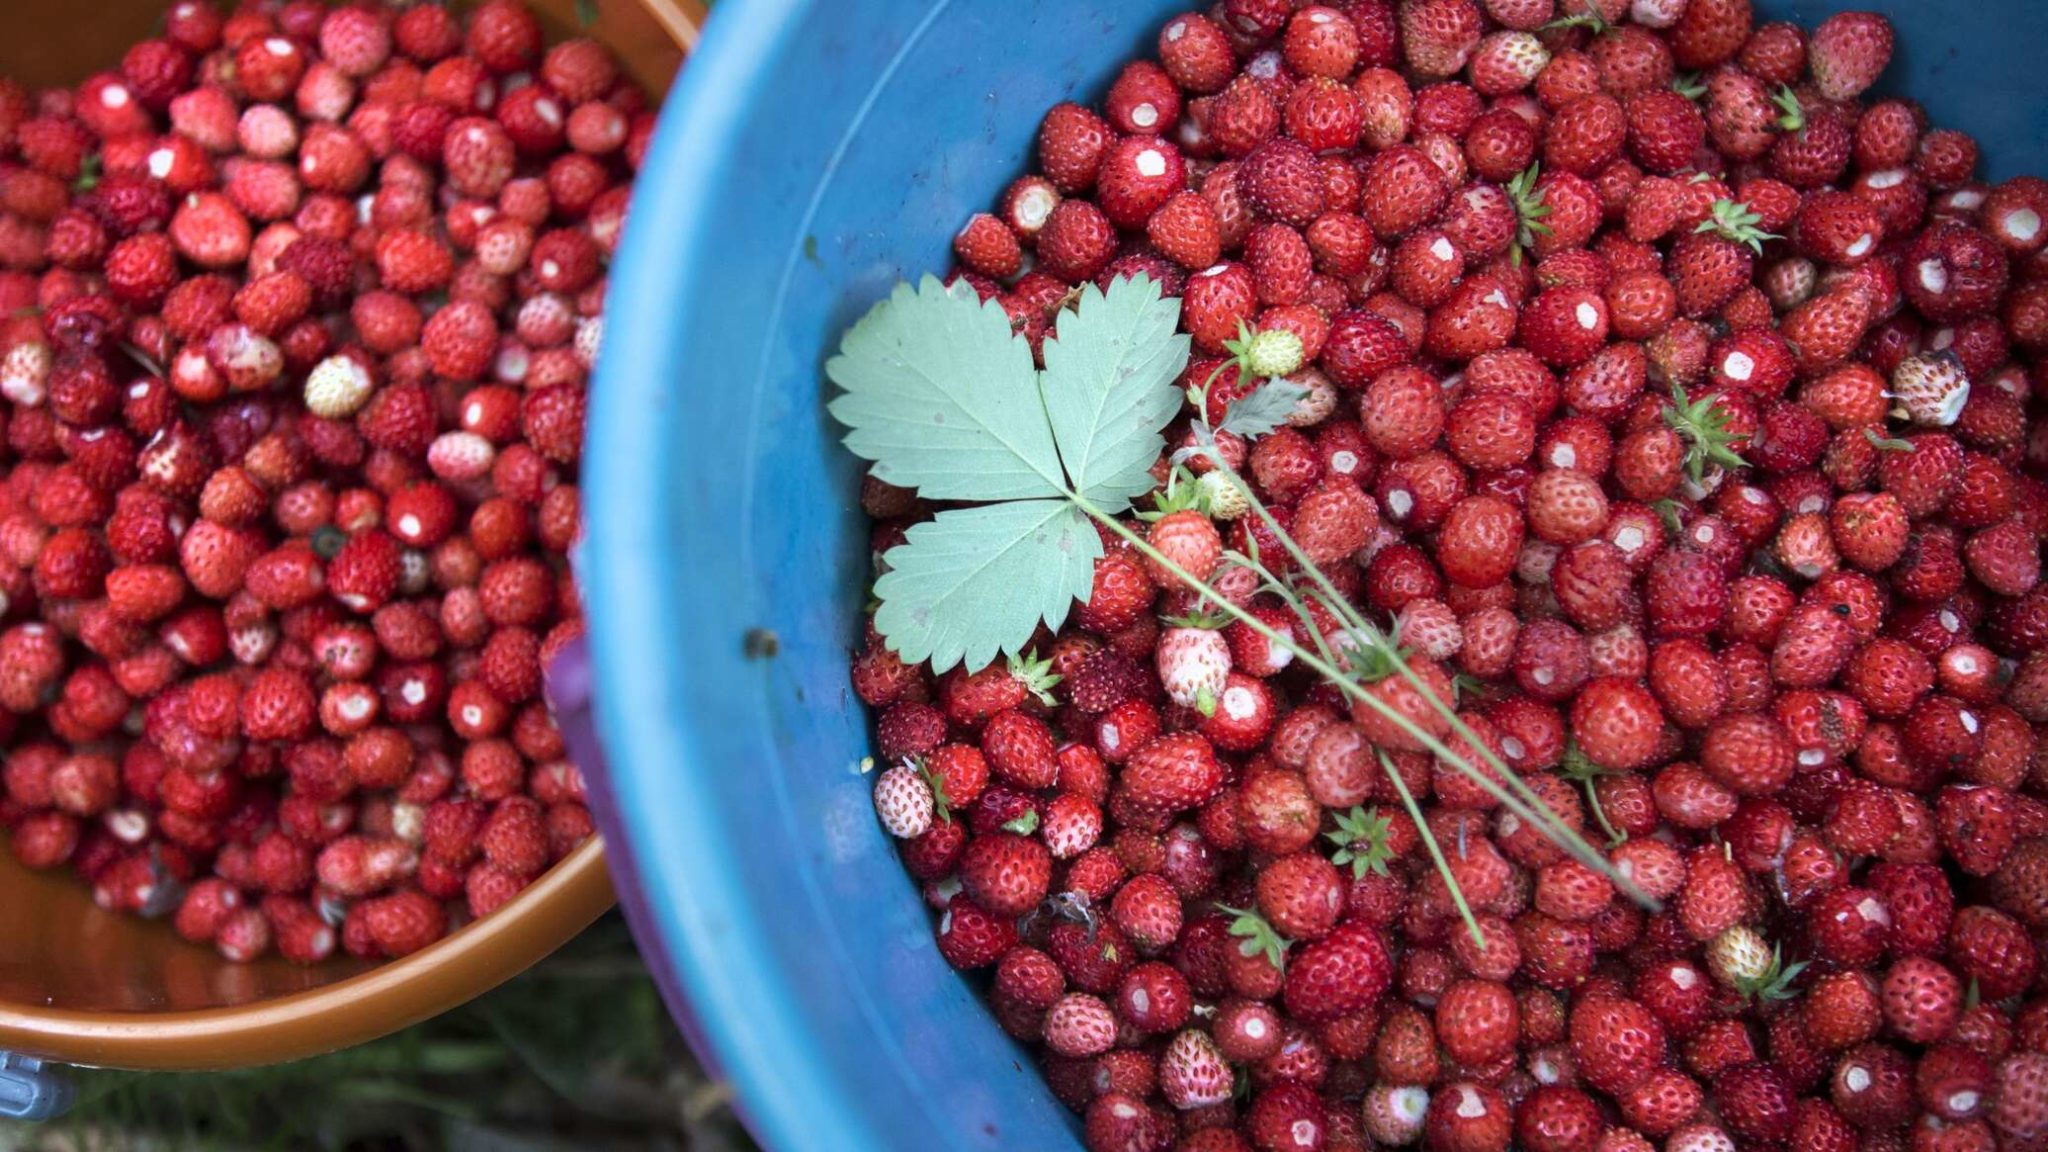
(1109, 386)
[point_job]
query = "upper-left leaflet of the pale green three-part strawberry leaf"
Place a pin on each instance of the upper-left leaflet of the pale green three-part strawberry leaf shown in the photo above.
(945, 399)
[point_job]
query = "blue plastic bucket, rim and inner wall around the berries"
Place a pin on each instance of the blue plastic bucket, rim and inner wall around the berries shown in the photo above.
(830, 151)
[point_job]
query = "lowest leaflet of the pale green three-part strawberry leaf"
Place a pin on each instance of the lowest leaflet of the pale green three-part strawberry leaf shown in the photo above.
(976, 583)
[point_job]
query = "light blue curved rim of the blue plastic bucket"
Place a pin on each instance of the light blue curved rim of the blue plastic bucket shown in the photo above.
(767, 1053)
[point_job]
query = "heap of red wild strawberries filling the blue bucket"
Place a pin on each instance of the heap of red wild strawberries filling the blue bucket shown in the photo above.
(1676, 401)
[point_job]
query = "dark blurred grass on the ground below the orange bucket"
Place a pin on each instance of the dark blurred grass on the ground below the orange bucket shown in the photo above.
(577, 1055)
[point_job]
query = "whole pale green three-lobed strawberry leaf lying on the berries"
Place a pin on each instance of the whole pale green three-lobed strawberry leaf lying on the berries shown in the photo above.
(943, 397)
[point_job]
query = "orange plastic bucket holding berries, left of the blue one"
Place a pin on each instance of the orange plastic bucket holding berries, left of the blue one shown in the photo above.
(89, 987)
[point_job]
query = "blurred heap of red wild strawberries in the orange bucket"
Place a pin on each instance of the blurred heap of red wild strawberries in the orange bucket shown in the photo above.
(300, 308)
